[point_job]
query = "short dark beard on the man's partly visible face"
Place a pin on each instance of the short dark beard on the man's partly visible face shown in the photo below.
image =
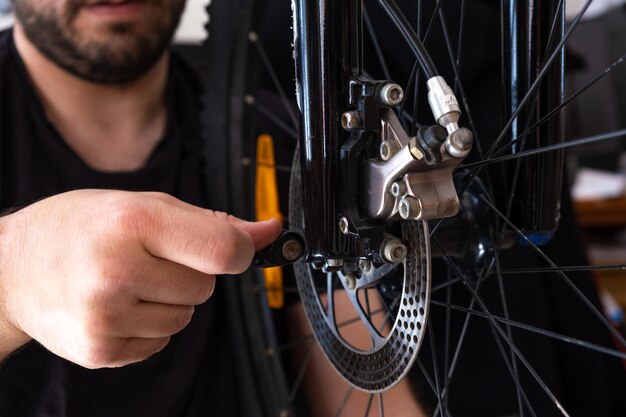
(103, 62)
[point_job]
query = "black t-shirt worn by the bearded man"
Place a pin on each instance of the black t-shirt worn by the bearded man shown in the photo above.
(191, 376)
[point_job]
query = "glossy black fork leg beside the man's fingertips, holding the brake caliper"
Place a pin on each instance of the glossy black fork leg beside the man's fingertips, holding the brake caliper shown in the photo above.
(328, 54)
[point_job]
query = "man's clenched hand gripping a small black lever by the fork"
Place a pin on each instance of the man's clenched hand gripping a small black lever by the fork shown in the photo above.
(104, 278)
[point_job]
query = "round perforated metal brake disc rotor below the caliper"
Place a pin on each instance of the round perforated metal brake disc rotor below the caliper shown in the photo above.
(390, 357)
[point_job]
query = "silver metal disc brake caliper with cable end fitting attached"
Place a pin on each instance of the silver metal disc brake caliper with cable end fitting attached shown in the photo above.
(411, 179)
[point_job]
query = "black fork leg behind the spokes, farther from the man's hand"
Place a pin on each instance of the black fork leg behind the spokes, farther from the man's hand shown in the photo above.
(528, 26)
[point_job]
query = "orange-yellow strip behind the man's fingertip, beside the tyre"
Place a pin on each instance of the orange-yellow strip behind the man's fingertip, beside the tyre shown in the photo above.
(267, 207)
